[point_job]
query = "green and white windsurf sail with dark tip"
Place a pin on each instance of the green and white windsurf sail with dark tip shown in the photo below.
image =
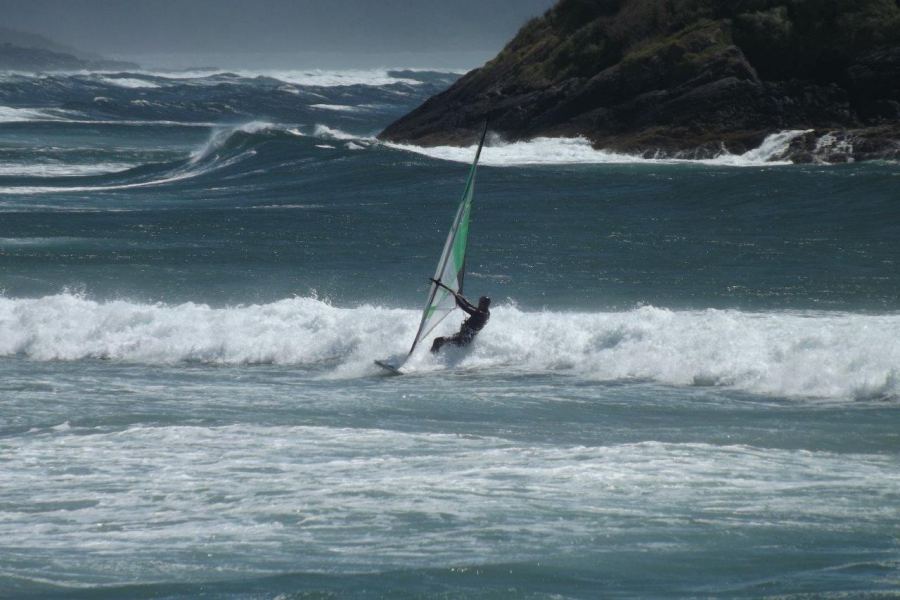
(451, 269)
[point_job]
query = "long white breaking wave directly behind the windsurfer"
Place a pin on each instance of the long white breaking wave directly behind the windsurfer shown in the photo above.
(791, 354)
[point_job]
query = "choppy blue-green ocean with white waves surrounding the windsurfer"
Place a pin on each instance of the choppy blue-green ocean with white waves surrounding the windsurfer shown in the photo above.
(689, 387)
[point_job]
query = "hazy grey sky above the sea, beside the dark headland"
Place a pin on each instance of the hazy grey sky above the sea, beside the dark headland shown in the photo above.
(360, 28)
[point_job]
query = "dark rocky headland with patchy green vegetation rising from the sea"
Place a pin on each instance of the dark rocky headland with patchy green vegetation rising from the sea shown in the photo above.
(684, 77)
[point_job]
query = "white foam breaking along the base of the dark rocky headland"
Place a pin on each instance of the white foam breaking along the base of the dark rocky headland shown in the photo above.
(578, 150)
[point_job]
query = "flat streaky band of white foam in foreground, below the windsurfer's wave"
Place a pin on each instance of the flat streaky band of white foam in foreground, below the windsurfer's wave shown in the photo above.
(314, 497)
